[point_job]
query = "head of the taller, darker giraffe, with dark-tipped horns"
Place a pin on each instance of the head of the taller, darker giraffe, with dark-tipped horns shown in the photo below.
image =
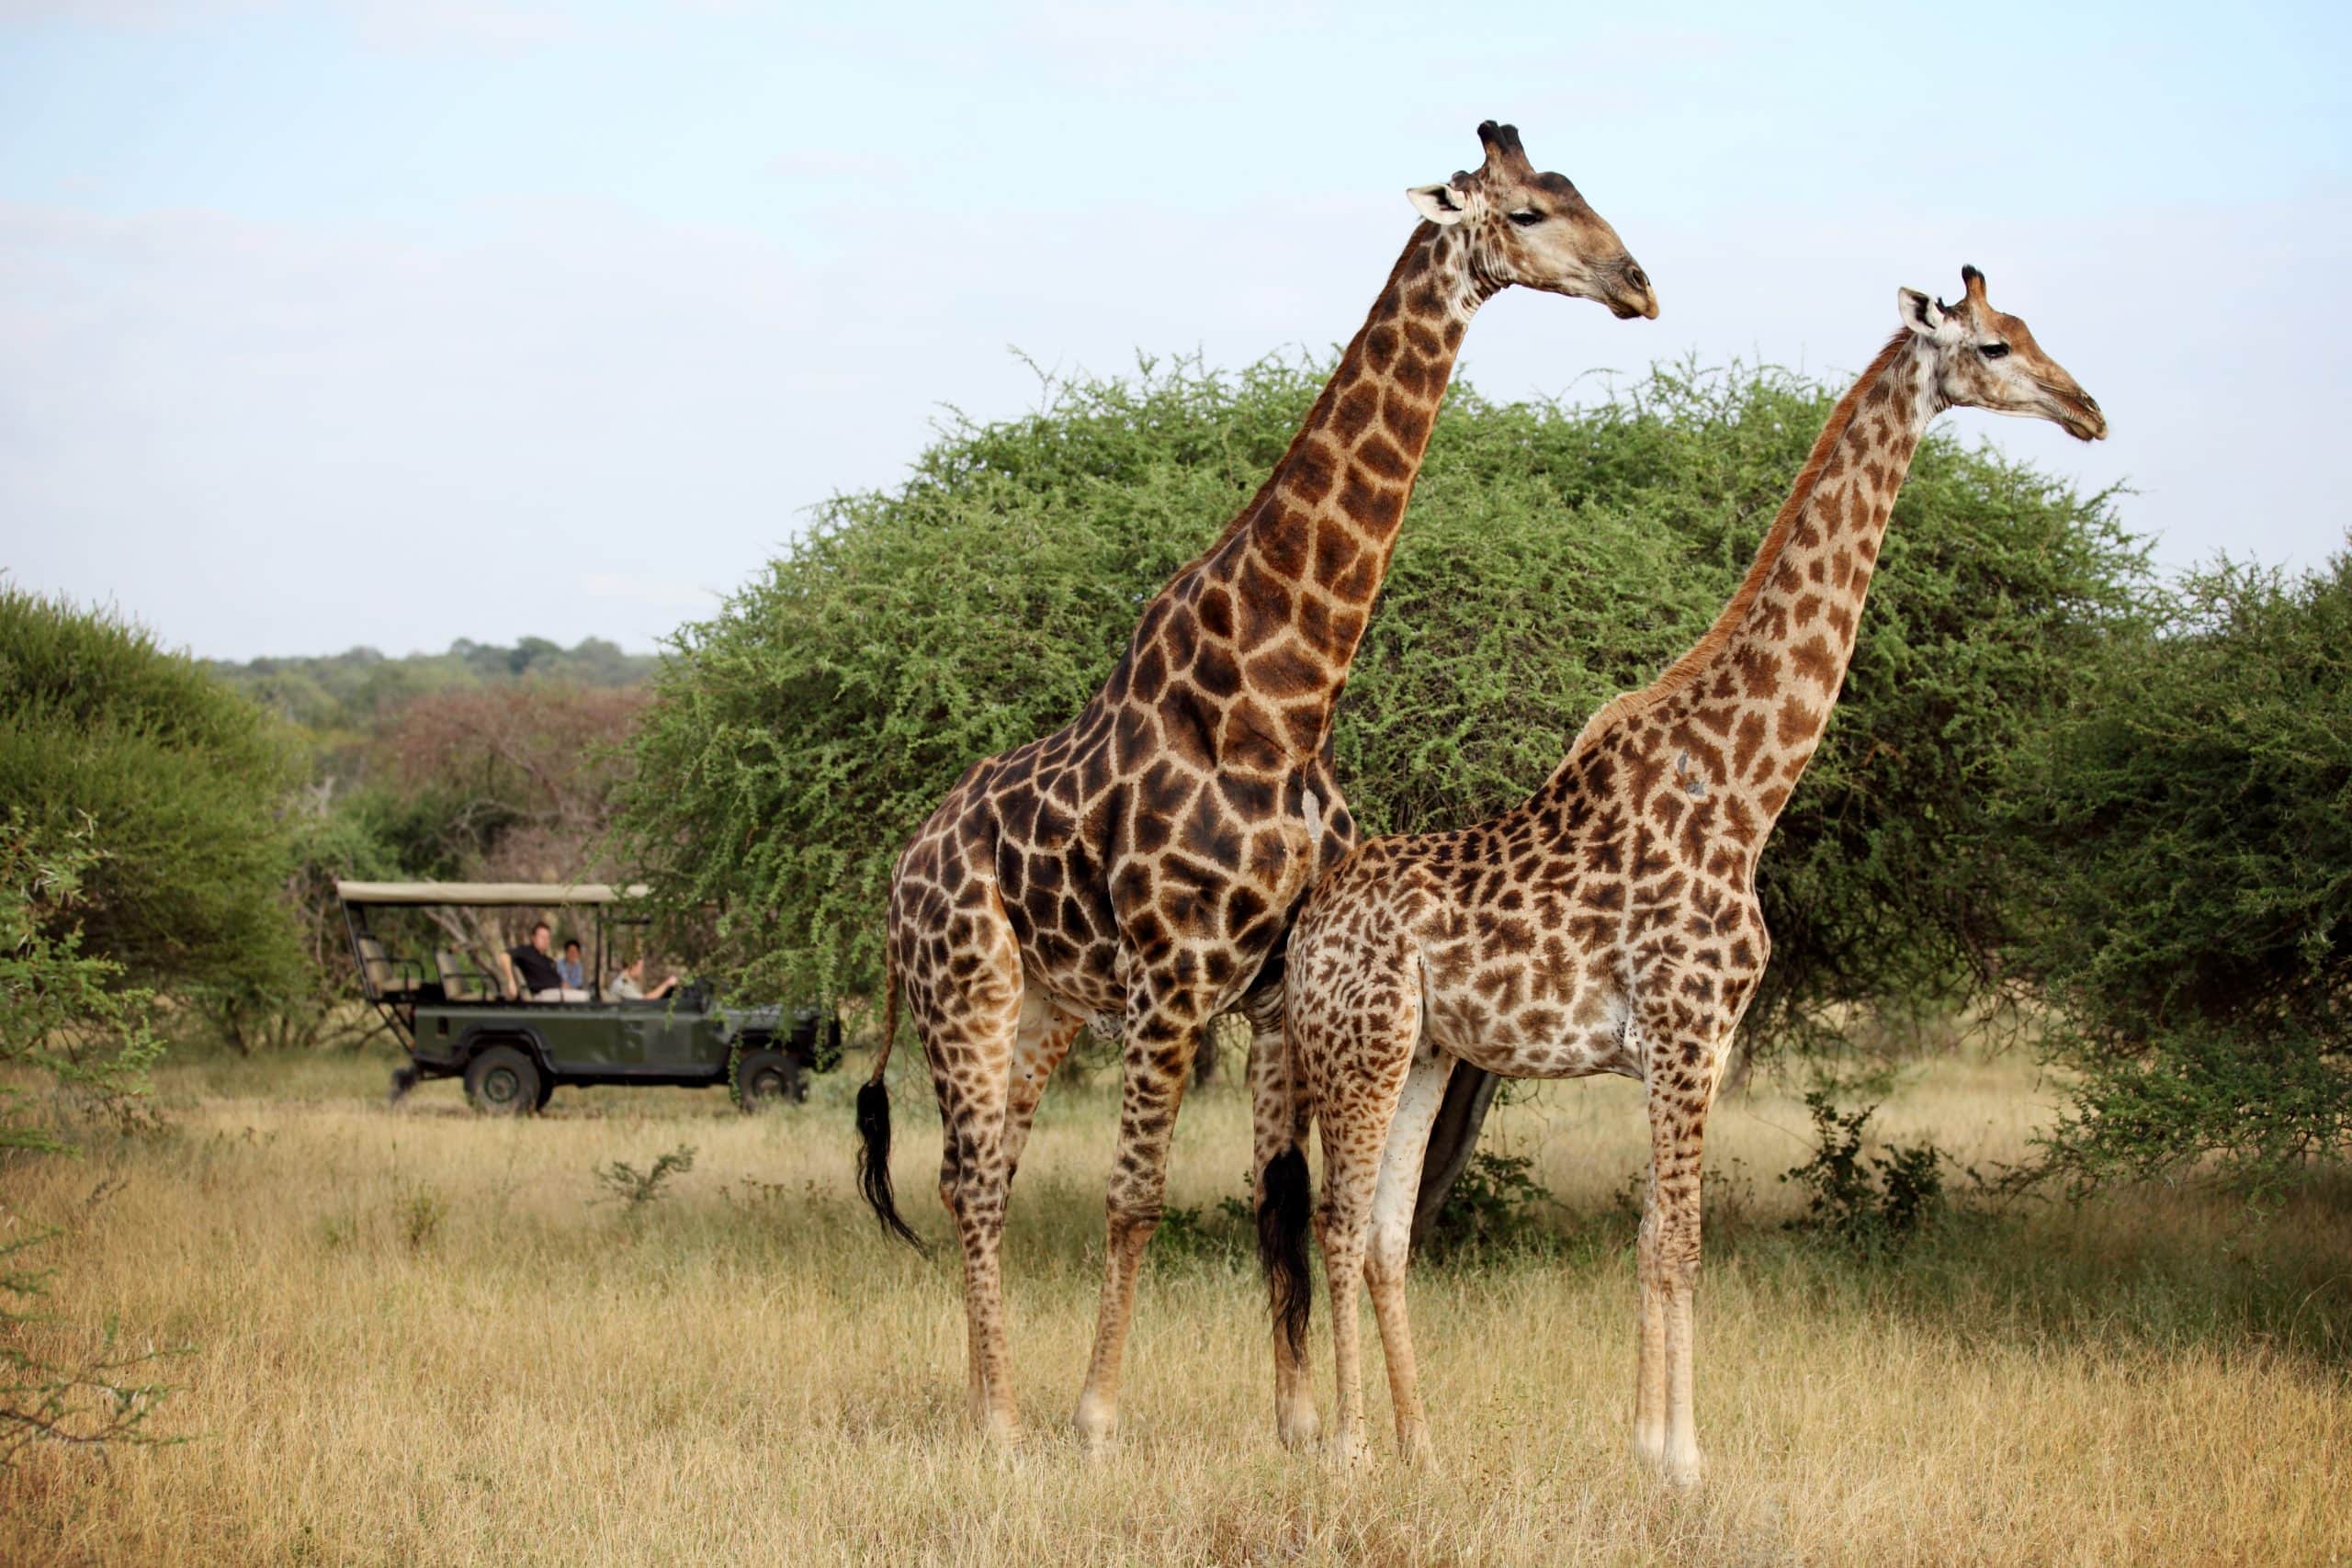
(1535, 229)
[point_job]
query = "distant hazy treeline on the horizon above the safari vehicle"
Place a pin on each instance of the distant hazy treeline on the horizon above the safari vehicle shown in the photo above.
(349, 692)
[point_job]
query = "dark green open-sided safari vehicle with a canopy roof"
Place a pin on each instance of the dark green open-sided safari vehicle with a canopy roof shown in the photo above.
(460, 1019)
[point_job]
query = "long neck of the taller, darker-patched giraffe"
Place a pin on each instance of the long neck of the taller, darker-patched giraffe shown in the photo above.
(1278, 605)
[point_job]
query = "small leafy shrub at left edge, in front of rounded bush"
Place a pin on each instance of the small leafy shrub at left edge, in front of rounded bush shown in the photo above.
(62, 1012)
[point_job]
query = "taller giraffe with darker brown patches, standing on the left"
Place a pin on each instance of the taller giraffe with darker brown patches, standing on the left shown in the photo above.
(1147, 859)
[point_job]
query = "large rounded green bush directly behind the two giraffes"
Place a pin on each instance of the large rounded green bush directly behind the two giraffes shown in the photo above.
(1551, 558)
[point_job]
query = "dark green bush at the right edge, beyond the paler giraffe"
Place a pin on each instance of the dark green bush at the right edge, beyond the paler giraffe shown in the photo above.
(2193, 885)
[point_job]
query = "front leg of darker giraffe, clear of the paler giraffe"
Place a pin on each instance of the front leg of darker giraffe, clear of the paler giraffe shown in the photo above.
(1158, 1061)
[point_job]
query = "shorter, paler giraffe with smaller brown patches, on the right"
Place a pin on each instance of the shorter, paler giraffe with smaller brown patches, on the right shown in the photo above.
(1608, 925)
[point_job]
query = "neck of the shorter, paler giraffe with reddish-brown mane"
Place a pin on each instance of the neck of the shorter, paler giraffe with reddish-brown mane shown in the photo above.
(1746, 709)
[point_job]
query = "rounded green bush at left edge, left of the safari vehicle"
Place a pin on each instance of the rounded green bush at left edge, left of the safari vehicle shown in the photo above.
(178, 782)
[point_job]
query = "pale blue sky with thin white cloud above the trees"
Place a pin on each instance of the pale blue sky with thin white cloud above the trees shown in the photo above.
(406, 321)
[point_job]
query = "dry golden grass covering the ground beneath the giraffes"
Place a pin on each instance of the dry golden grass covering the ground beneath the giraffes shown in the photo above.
(422, 1339)
